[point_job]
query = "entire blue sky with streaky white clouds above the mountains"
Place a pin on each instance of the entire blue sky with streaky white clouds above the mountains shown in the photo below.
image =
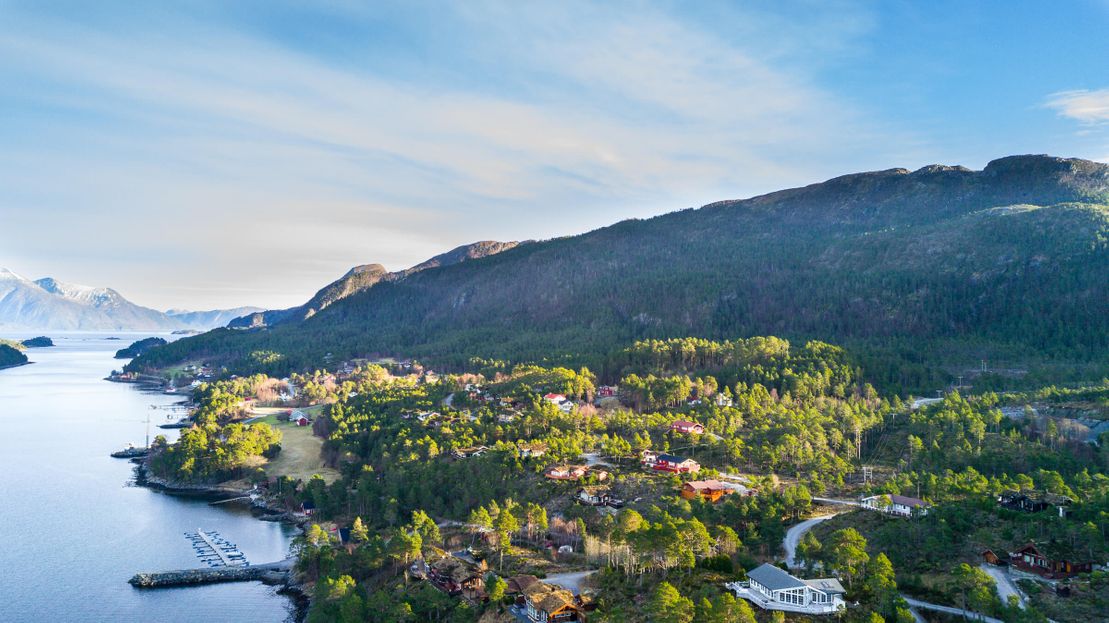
(206, 155)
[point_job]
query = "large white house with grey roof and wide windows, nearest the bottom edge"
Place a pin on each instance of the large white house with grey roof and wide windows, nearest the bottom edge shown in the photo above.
(770, 588)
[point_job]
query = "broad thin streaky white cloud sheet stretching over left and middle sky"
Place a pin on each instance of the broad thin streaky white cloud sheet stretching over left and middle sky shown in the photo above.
(229, 158)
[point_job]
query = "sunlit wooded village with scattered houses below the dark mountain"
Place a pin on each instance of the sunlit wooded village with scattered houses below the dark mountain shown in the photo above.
(535, 495)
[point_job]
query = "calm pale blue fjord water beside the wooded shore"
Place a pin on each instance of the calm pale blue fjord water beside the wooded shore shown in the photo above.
(76, 528)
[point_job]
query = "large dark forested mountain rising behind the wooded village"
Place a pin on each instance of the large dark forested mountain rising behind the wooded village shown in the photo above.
(918, 268)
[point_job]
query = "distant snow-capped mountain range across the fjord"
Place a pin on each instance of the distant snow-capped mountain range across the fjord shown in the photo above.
(52, 305)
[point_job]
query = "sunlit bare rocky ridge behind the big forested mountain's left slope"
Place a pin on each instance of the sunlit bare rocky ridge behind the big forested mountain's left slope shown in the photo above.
(364, 278)
